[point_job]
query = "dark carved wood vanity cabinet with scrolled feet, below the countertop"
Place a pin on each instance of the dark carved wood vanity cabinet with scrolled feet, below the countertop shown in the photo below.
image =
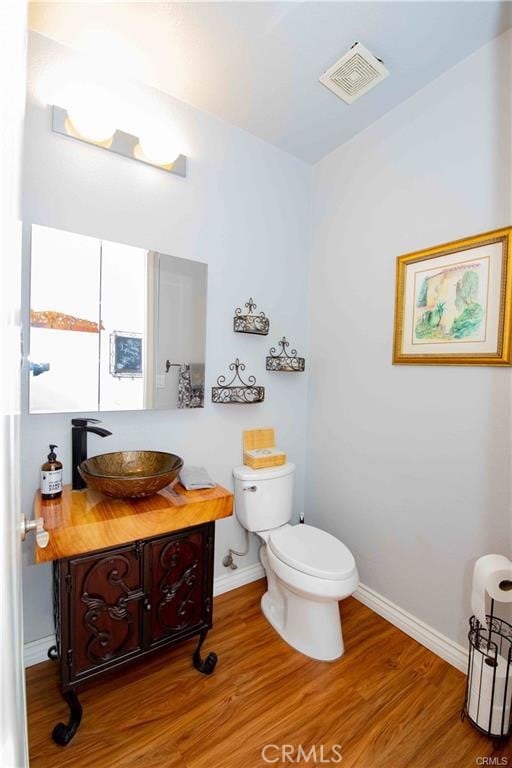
(115, 605)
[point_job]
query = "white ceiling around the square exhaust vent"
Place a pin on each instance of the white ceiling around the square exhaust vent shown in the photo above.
(256, 64)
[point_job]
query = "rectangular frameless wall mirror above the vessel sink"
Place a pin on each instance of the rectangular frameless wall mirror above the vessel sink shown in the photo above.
(113, 327)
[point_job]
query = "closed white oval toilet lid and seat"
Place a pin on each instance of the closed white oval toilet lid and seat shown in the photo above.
(312, 551)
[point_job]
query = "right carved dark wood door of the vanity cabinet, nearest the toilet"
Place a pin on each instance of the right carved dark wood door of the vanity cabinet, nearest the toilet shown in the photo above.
(180, 571)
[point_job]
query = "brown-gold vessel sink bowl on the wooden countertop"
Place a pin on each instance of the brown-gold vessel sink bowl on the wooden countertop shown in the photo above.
(130, 474)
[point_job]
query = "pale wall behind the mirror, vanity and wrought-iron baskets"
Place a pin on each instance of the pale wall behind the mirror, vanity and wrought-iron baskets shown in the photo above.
(244, 208)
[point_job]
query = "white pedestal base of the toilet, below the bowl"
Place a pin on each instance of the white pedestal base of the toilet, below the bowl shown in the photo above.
(311, 627)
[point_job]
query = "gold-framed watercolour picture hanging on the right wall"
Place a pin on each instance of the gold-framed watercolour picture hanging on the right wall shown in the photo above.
(453, 303)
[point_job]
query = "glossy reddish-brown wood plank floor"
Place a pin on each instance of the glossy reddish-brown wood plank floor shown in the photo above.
(388, 703)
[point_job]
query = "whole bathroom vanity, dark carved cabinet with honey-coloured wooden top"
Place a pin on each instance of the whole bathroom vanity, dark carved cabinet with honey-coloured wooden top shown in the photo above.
(130, 576)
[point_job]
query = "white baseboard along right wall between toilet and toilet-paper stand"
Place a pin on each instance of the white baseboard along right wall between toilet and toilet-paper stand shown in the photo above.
(441, 645)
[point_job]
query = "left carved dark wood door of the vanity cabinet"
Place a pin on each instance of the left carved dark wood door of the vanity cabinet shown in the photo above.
(105, 608)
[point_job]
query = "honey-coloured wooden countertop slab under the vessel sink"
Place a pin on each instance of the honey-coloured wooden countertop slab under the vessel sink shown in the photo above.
(84, 521)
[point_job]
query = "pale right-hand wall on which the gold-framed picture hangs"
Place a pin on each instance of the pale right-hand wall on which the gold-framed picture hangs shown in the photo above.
(410, 466)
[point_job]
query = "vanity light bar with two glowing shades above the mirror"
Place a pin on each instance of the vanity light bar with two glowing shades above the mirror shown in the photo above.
(99, 131)
